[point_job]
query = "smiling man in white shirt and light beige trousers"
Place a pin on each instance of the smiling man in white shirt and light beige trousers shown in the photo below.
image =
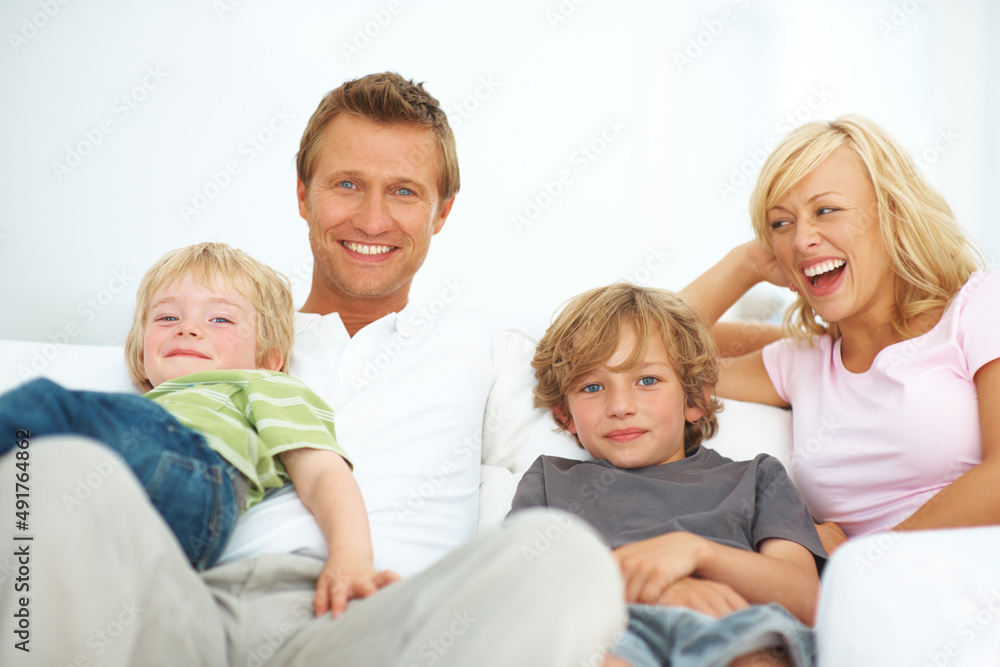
(104, 583)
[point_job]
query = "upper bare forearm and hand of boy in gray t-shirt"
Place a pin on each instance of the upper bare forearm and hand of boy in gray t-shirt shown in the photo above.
(783, 571)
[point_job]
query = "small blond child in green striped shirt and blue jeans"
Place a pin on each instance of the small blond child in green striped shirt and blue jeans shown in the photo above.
(220, 422)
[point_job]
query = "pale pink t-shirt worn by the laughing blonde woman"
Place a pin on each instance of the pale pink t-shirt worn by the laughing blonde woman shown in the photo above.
(871, 448)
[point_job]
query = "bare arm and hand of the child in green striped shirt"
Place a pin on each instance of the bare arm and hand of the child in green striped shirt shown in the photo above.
(328, 489)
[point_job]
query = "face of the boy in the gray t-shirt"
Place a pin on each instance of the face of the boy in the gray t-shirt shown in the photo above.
(632, 418)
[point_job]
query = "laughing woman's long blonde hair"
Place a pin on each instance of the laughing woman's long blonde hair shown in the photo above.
(927, 249)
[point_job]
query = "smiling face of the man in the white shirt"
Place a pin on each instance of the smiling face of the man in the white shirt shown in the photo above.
(372, 208)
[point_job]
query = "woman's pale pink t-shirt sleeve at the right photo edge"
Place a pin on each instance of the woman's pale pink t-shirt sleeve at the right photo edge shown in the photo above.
(980, 319)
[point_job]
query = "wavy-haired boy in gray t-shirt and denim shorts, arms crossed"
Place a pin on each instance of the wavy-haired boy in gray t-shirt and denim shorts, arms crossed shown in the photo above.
(719, 556)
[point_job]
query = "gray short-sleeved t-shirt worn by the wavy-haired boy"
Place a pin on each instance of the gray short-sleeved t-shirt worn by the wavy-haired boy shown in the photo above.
(736, 503)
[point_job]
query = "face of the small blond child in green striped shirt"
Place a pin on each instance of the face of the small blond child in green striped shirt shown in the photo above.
(192, 328)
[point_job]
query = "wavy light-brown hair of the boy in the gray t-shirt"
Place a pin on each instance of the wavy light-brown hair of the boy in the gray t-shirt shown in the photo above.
(589, 329)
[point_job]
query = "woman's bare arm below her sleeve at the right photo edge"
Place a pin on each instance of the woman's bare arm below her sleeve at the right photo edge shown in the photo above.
(974, 498)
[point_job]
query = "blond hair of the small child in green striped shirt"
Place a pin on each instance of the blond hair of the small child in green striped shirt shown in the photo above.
(268, 291)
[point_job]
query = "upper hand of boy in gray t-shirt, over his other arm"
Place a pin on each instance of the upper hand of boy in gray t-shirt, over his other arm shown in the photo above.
(653, 566)
